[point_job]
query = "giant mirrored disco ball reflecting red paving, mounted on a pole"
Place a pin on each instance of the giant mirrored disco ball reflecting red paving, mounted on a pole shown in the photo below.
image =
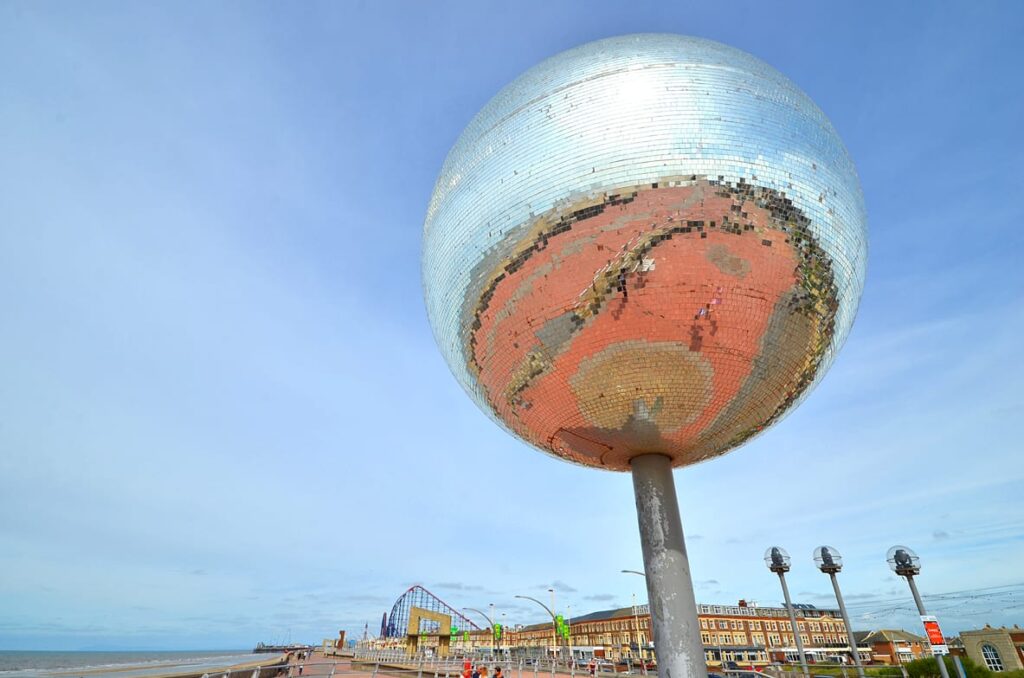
(647, 244)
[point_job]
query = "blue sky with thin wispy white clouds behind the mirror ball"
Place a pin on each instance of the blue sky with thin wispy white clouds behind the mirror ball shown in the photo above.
(224, 418)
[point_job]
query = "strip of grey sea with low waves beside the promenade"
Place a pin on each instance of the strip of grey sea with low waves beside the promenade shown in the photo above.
(119, 665)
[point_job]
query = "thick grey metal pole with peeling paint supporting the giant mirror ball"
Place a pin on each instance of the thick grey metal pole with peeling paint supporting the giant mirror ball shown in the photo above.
(670, 588)
